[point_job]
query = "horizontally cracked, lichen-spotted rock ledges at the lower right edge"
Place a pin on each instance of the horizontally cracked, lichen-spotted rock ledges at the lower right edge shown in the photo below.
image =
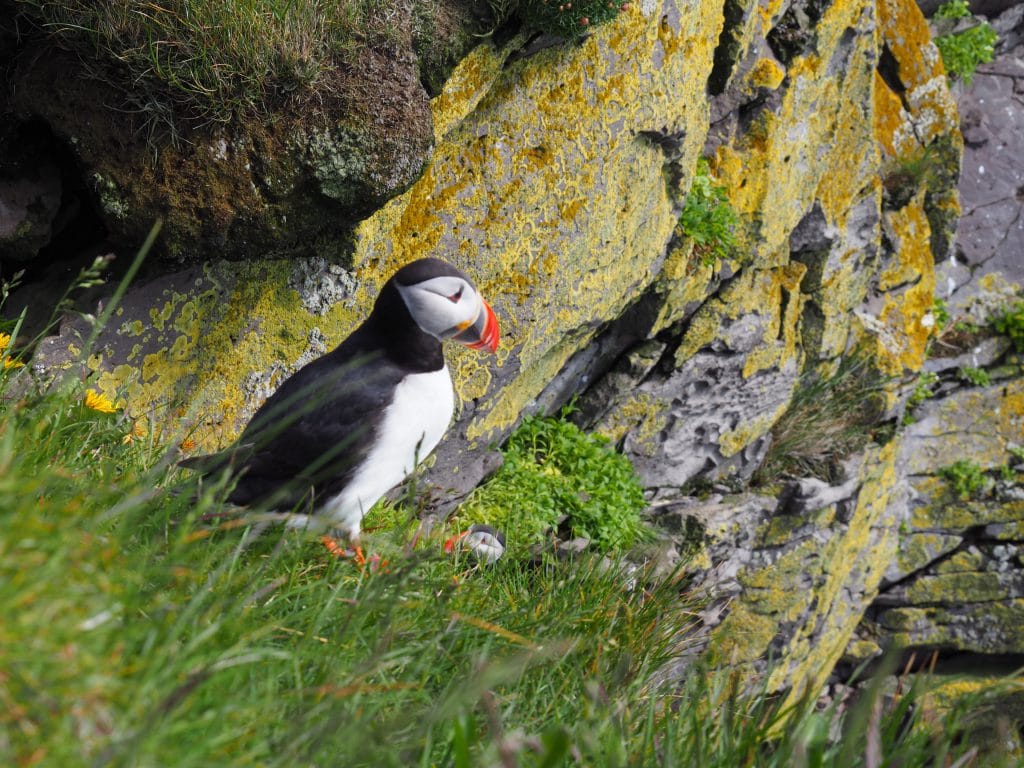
(958, 579)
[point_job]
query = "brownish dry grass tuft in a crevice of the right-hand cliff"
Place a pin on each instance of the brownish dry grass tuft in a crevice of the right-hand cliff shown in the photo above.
(830, 418)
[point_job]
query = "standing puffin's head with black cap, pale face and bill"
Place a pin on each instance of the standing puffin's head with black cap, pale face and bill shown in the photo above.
(445, 304)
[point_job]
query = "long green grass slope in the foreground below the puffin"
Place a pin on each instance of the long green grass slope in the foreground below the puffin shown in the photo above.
(144, 626)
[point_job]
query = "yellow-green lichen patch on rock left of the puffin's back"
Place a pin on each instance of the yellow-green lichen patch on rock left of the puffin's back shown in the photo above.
(243, 319)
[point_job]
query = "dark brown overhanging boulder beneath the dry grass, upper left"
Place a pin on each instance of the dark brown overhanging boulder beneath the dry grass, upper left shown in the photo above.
(293, 182)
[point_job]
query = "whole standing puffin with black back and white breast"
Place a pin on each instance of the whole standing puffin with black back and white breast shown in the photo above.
(353, 424)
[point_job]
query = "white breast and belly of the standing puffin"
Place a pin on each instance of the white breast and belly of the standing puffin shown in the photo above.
(412, 428)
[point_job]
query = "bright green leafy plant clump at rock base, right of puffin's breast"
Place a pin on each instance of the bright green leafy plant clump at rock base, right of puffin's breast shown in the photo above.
(553, 471)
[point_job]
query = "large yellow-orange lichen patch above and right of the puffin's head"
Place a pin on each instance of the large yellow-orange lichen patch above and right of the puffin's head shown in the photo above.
(543, 192)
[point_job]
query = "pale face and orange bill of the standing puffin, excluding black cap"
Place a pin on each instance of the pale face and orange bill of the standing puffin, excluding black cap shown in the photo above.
(450, 308)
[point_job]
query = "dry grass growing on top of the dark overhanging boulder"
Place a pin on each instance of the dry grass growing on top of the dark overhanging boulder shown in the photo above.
(211, 60)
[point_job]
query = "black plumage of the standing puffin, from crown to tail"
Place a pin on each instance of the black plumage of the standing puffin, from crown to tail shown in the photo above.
(308, 439)
